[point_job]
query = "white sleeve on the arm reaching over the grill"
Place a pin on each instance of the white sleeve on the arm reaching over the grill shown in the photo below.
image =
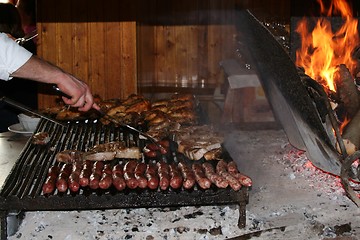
(12, 56)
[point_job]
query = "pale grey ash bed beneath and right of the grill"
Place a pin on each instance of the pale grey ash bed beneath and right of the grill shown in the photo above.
(290, 199)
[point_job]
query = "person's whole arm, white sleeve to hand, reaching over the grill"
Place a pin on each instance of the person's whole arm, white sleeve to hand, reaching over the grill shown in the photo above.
(16, 61)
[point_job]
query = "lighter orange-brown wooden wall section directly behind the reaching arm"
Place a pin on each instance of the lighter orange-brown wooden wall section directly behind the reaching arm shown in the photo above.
(90, 40)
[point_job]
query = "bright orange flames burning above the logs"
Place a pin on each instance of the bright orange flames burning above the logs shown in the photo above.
(322, 50)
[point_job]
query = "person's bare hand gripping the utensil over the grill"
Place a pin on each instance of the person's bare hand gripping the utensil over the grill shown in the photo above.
(79, 91)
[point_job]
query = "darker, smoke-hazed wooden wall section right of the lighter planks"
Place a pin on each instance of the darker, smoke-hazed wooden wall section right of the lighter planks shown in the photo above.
(182, 43)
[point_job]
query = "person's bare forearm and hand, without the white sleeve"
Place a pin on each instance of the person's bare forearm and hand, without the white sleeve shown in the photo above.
(39, 70)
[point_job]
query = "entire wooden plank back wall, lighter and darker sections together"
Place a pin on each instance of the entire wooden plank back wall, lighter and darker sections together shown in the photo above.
(116, 46)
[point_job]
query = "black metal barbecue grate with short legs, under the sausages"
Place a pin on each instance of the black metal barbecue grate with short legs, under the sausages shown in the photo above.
(22, 190)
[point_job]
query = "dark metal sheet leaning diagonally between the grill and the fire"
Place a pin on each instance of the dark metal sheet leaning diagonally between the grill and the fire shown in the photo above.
(288, 97)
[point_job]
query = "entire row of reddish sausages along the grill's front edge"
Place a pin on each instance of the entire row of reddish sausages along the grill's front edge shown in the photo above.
(133, 174)
